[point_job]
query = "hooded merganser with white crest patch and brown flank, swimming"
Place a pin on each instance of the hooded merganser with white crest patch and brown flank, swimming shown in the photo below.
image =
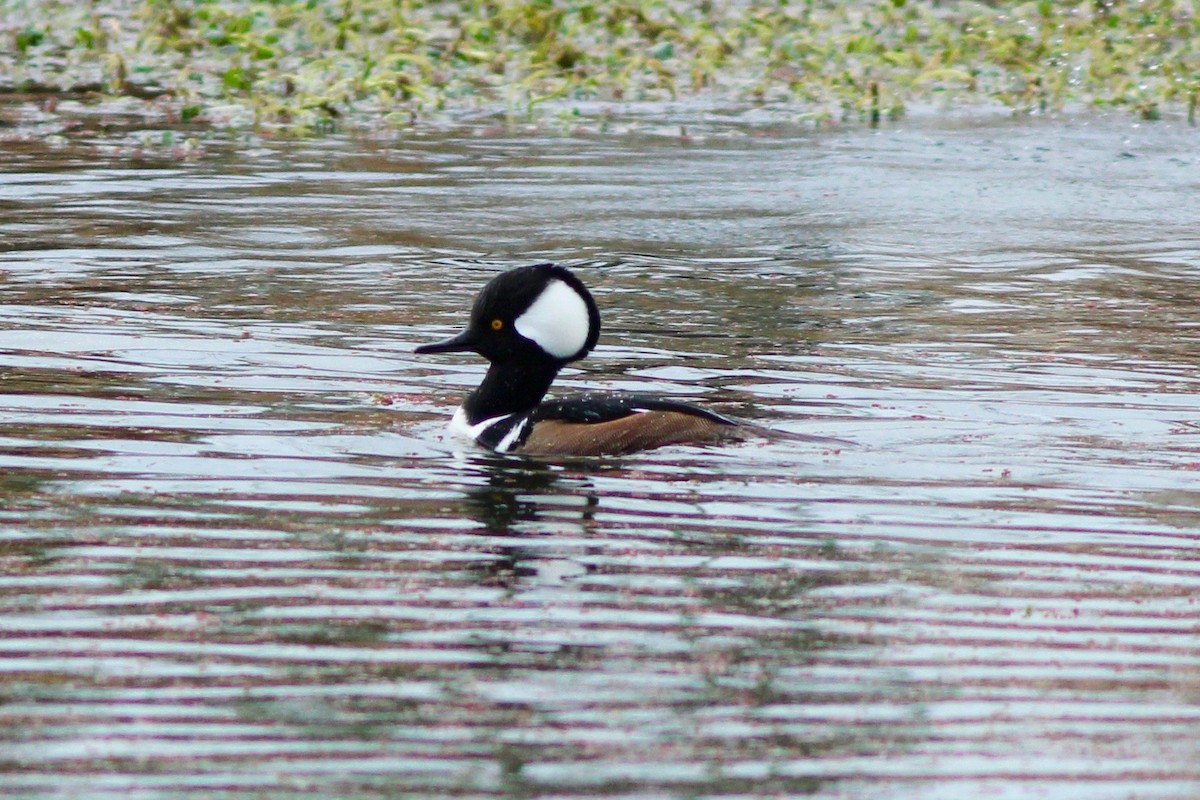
(530, 323)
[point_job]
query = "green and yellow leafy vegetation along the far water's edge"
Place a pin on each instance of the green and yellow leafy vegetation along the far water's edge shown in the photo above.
(311, 67)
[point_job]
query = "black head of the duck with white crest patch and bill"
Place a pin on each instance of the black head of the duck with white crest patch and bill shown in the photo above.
(530, 314)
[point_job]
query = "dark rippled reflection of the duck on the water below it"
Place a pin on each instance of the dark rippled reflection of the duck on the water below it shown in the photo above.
(537, 514)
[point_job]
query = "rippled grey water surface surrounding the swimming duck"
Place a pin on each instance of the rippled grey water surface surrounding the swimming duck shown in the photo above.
(239, 560)
